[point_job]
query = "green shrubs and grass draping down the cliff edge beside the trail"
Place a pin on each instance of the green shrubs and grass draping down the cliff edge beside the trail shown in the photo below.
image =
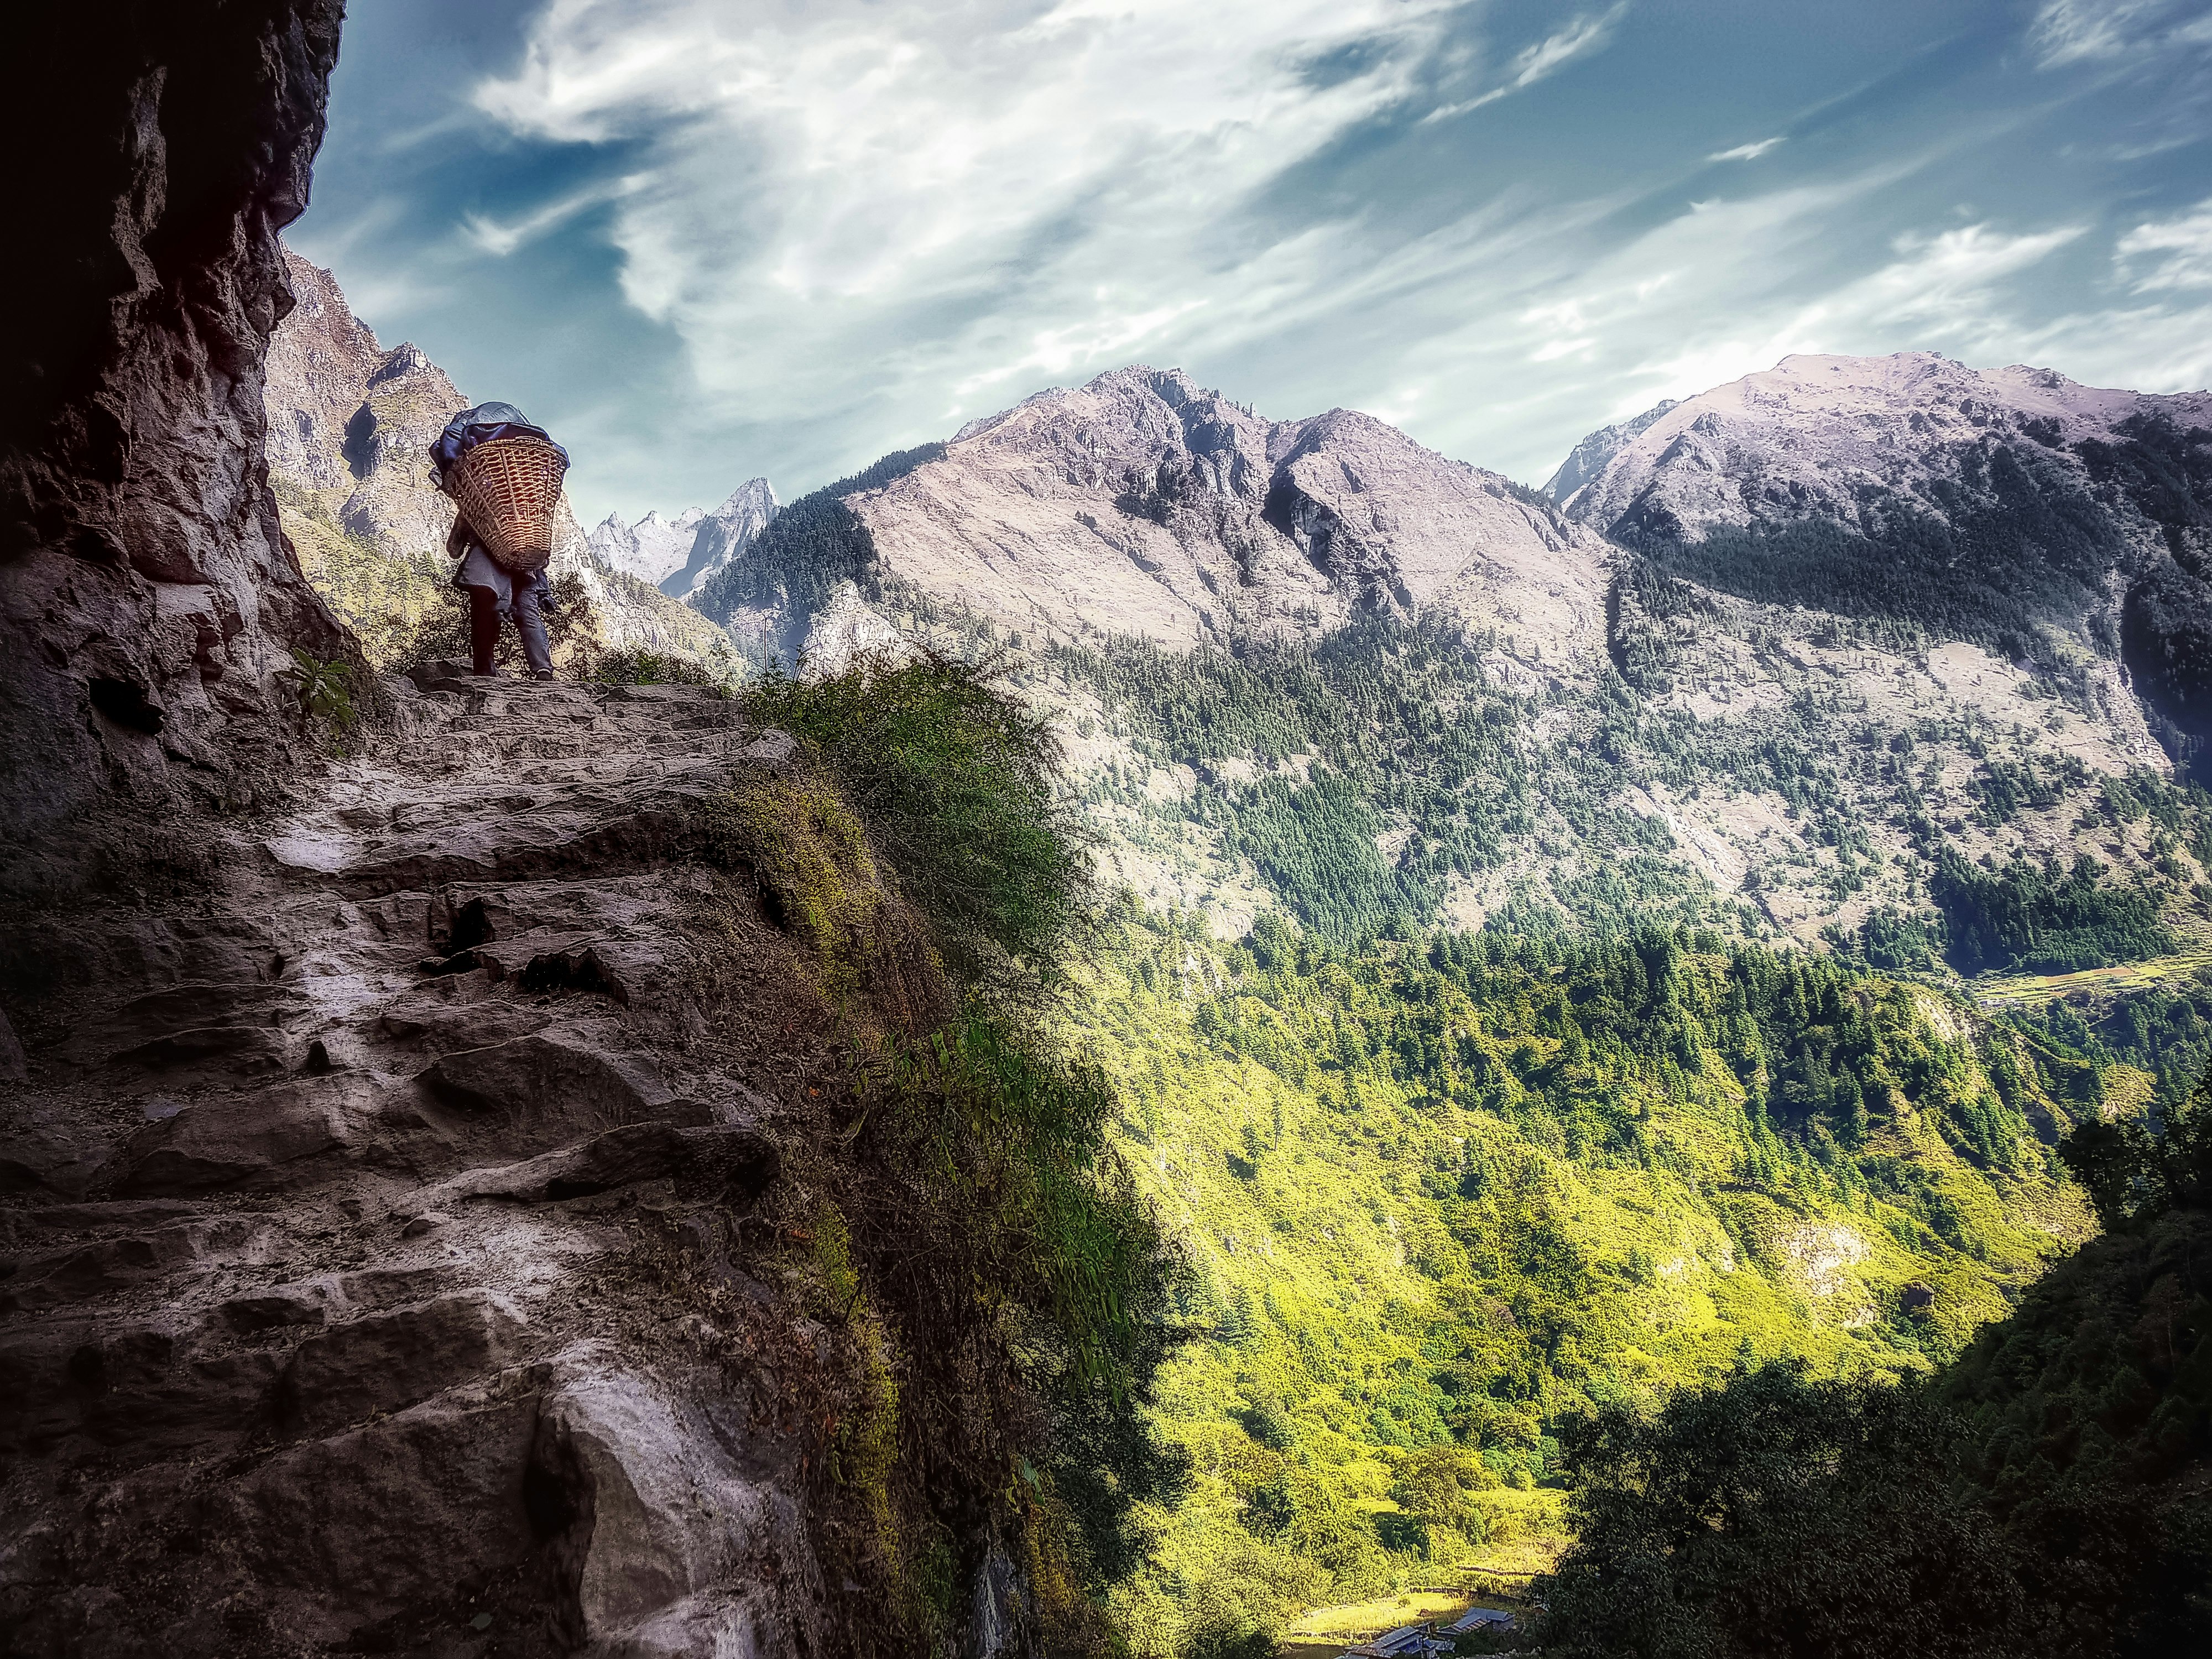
(1003, 1260)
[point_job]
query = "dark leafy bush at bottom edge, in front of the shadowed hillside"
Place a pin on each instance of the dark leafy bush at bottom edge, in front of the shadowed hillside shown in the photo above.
(1780, 1516)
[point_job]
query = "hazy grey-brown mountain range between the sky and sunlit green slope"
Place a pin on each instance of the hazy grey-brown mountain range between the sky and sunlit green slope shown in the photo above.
(1782, 658)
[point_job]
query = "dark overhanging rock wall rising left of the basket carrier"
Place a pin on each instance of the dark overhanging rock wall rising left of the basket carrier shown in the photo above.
(147, 592)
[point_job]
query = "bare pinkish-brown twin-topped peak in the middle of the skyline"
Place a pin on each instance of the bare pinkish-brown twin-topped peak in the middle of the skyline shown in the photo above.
(1147, 505)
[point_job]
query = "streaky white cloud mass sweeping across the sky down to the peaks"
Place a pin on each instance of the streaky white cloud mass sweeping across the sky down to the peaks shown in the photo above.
(870, 220)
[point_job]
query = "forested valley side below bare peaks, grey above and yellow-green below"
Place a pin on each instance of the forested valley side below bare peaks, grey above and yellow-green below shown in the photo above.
(1516, 1043)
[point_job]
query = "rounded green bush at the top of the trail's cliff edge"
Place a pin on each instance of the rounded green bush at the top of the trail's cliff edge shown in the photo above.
(959, 786)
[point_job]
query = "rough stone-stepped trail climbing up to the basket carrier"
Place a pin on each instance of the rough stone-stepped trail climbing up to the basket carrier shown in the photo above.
(371, 1222)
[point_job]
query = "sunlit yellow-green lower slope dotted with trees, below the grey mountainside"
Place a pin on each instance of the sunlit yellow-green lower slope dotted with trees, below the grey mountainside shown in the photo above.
(1446, 1196)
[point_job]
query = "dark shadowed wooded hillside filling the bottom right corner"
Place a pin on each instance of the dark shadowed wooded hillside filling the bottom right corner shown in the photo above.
(2043, 1494)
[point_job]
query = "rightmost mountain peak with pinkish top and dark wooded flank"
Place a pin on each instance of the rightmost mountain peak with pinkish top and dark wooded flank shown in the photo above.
(2003, 508)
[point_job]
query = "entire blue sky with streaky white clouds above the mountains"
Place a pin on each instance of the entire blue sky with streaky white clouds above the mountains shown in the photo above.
(709, 240)
